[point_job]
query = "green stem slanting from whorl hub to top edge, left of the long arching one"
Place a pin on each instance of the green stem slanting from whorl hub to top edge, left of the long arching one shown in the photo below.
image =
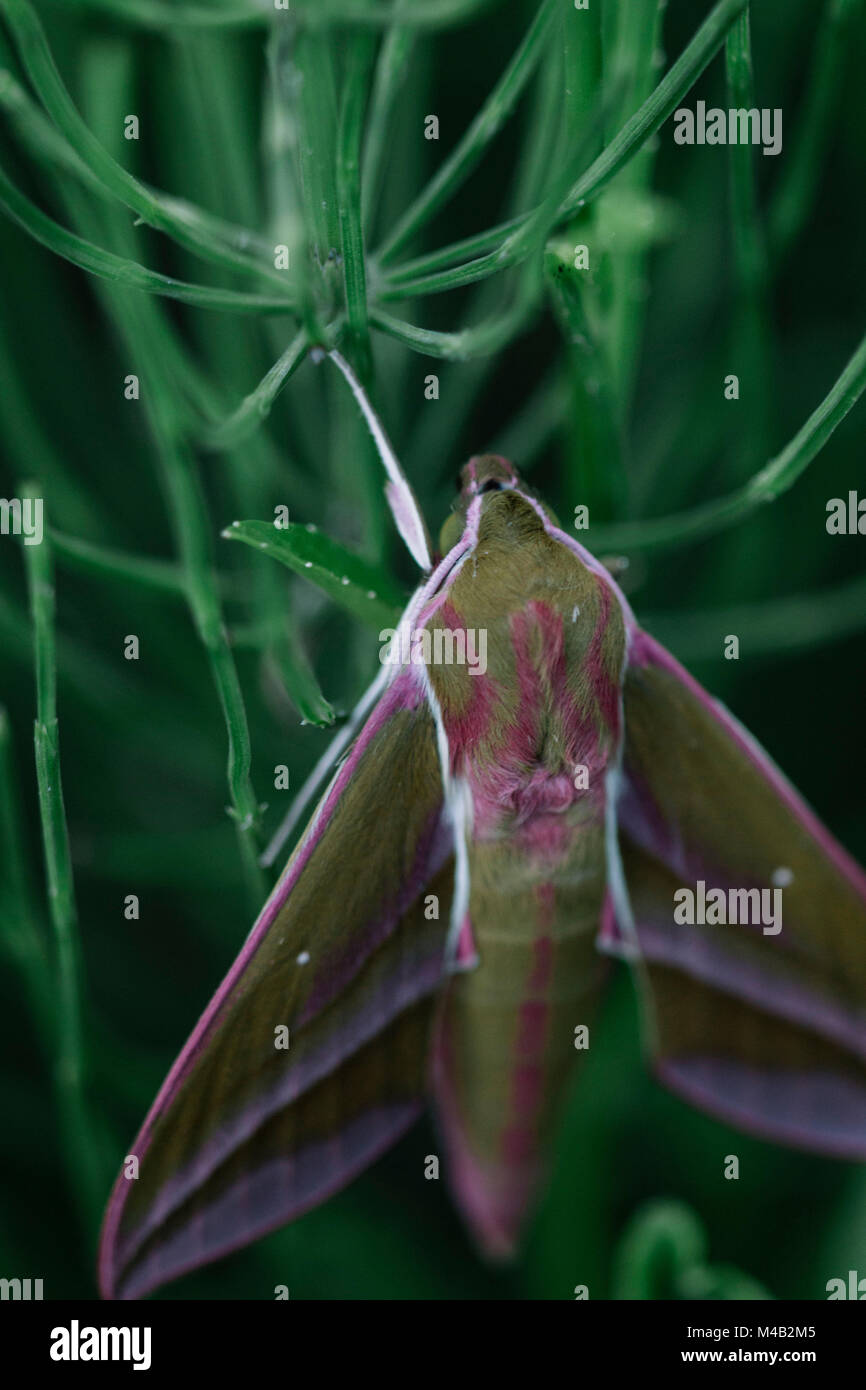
(471, 149)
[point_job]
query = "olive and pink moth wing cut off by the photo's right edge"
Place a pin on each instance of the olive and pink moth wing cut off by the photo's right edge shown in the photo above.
(761, 1020)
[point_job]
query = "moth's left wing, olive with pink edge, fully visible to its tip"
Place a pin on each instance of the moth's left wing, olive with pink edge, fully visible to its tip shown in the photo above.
(250, 1132)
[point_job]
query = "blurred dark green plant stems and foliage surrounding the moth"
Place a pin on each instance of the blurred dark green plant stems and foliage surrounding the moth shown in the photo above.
(308, 131)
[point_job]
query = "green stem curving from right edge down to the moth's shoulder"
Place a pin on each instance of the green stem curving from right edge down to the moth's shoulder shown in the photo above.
(765, 487)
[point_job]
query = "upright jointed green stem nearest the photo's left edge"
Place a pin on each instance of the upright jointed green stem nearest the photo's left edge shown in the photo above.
(59, 872)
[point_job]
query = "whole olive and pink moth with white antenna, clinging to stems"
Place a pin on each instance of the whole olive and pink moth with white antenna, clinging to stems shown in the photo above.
(487, 843)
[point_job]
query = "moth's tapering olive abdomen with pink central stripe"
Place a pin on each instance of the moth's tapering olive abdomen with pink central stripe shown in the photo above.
(505, 1050)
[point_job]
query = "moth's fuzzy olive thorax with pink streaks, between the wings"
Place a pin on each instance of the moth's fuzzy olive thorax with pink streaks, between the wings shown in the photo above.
(534, 719)
